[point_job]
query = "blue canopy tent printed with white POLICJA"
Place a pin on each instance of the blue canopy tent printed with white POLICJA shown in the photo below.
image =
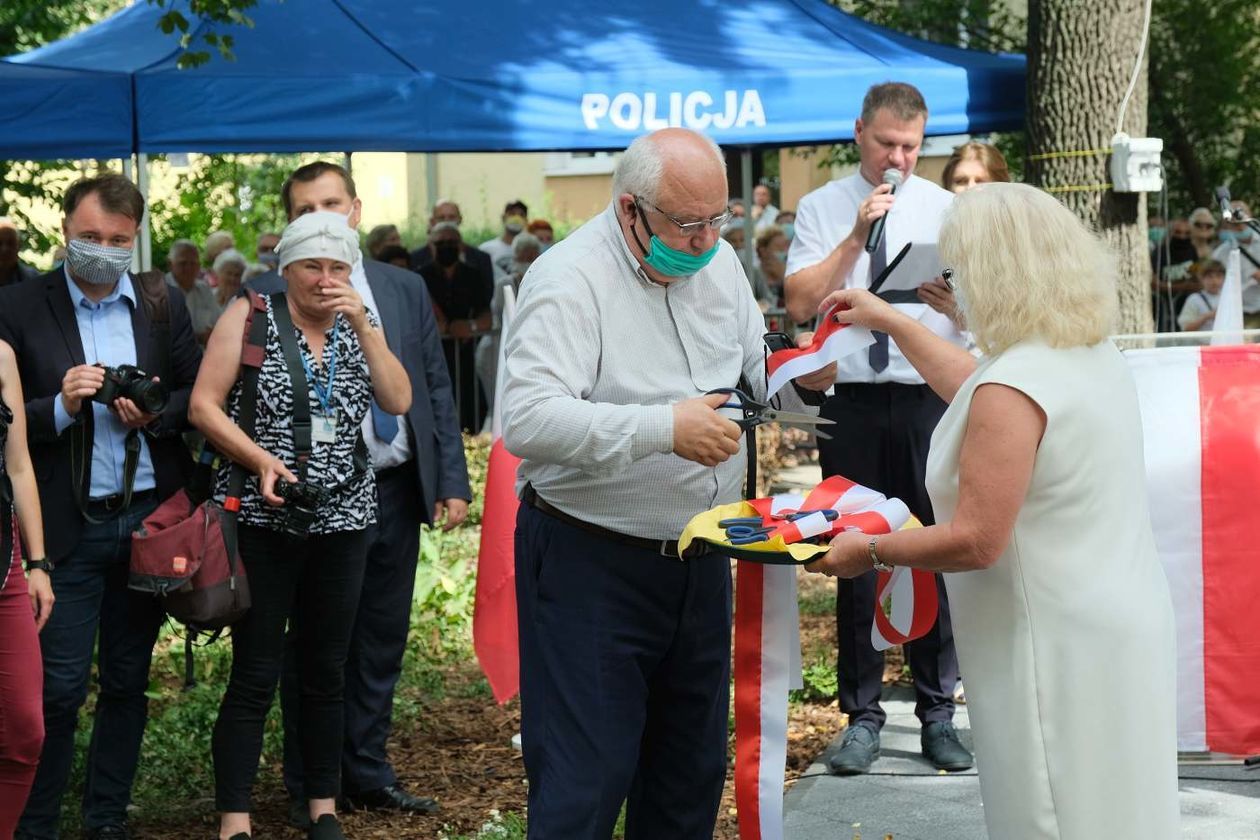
(396, 76)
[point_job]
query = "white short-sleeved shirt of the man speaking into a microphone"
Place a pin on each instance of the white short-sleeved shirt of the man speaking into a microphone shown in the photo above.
(826, 217)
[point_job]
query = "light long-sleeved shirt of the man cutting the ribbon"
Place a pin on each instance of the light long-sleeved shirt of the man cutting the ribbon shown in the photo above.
(598, 355)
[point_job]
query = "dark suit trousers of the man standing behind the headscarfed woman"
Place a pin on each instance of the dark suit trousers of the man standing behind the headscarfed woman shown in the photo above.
(377, 645)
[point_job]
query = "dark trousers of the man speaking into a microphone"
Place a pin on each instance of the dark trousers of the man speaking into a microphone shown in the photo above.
(880, 440)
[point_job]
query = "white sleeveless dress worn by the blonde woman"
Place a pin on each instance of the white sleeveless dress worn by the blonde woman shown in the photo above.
(1068, 642)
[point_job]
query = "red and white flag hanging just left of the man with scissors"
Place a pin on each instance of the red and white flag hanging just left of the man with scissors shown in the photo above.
(495, 614)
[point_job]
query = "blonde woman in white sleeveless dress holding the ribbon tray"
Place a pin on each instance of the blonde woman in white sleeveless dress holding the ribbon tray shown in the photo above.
(1062, 610)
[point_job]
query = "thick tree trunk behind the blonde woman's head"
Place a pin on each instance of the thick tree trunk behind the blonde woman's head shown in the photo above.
(1080, 60)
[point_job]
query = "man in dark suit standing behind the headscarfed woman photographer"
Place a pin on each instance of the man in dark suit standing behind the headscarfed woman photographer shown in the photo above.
(421, 475)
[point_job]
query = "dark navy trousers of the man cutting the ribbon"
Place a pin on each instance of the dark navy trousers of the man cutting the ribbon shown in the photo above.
(624, 684)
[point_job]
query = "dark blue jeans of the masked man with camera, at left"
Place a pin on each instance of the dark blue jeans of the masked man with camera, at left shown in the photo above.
(91, 589)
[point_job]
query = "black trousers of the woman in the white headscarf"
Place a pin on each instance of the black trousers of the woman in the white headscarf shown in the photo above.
(316, 584)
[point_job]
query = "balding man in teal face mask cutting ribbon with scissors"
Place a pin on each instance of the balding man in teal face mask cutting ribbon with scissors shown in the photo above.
(623, 329)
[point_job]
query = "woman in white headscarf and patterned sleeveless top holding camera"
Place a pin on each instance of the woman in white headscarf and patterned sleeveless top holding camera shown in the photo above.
(304, 514)
